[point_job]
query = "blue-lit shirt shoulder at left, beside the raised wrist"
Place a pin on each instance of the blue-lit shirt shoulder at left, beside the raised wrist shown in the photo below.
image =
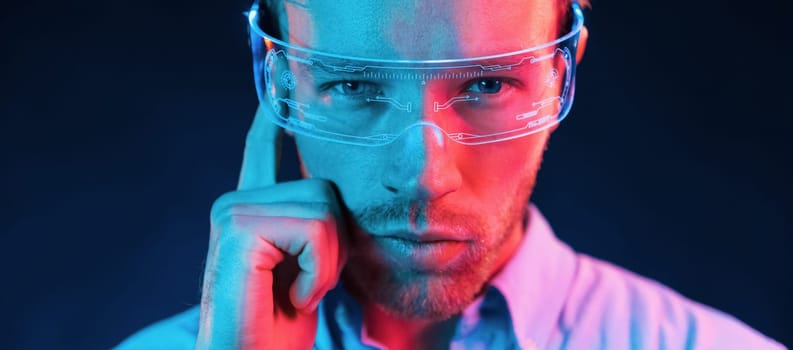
(173, 333)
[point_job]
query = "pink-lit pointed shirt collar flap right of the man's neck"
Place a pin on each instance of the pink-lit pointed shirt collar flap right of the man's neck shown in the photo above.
(535, 281)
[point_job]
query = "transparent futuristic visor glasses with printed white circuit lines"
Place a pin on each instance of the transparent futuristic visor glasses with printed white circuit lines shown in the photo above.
(372, 102)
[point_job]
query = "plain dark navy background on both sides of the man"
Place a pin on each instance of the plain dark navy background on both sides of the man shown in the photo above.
(123, 120)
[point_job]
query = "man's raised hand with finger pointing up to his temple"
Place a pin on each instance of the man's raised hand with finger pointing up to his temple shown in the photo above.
(274, 251)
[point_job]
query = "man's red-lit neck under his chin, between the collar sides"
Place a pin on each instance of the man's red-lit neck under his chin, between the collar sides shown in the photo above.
(412, 333)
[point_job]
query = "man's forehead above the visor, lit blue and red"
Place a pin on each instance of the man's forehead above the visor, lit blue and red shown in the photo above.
(415, 29)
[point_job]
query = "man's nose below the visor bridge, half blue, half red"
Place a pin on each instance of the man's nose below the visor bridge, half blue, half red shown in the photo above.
(422, 164)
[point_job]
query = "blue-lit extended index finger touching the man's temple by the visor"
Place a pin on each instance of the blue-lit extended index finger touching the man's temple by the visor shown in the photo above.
(262, 154)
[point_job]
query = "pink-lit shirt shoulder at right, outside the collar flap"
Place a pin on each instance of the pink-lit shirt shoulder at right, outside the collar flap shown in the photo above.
(617, 309)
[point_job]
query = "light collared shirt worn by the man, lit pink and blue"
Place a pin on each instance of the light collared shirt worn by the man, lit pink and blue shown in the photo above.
(546, 297)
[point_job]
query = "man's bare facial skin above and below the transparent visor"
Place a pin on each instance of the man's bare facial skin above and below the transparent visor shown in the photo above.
(431, 219)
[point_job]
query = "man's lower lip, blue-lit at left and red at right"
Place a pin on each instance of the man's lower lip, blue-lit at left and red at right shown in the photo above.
(421, 255)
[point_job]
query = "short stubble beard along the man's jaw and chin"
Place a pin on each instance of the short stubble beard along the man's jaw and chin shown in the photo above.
(407, 293)
